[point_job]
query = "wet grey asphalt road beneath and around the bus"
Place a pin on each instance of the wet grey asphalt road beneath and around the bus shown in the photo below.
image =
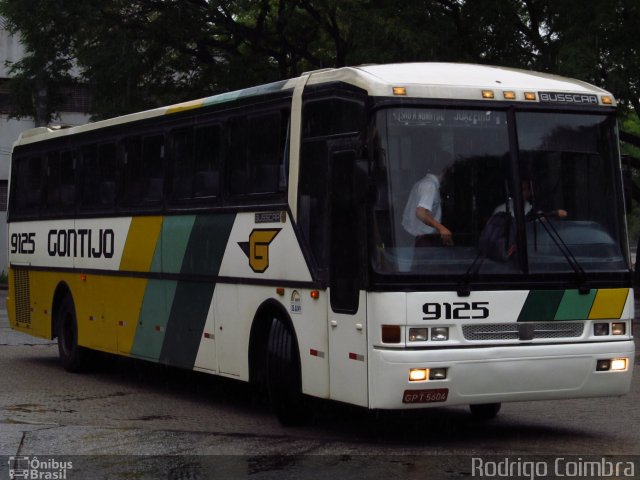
(132, 419)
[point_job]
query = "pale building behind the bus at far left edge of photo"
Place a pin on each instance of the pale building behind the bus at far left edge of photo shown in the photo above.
(73, 112)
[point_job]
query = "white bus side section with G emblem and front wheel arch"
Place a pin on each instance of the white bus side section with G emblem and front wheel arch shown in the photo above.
(263, 248)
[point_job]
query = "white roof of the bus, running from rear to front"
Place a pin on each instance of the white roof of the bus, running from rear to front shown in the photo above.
(420, 80)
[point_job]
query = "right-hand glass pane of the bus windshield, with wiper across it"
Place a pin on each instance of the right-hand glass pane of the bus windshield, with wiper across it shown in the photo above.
(569, 160)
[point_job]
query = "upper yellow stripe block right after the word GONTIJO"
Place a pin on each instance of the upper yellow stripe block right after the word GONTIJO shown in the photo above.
(141, 244)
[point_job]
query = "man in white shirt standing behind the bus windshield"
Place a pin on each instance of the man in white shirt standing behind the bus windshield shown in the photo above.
(423, 212)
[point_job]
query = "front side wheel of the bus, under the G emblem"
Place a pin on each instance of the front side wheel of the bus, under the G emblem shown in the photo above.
(283, 375)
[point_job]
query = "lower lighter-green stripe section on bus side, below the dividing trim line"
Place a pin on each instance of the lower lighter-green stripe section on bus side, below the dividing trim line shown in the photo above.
(154, 316)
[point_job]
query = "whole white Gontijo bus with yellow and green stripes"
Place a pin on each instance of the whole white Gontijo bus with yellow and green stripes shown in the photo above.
(259, 235)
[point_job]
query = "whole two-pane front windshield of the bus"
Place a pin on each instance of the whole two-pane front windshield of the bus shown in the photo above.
(458, 165)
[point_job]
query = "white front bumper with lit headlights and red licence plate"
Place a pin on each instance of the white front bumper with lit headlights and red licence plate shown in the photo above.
(498, 374)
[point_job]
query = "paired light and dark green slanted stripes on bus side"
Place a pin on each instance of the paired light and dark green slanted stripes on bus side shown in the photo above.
(174, 310)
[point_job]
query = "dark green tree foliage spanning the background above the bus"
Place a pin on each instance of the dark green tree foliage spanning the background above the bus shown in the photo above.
(143, 53)
